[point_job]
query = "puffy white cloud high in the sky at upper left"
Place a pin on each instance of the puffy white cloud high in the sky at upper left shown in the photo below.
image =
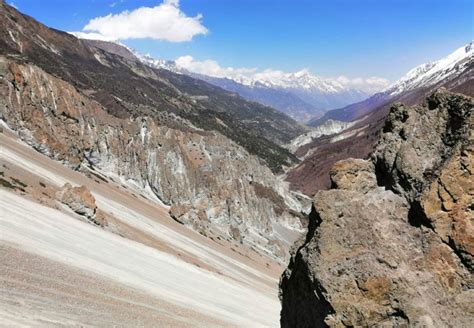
(165, 21)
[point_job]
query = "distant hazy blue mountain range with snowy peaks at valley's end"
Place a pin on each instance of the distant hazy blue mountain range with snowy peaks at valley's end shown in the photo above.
(300, 95)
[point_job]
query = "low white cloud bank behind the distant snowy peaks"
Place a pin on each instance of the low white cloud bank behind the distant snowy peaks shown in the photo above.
(277, 77)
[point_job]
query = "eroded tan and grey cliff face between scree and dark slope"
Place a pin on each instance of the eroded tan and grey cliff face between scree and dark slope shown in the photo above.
(210, 182)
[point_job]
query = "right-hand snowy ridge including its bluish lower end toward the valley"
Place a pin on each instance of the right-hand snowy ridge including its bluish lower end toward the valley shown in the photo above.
(425, 76)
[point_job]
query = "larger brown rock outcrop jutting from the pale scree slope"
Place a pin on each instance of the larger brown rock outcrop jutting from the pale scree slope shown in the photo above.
(80, 200)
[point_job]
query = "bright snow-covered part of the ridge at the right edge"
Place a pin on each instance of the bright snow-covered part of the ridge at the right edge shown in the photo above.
(431, 73)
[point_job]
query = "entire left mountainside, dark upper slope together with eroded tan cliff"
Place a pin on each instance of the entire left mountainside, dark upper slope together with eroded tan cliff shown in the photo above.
(99, 114)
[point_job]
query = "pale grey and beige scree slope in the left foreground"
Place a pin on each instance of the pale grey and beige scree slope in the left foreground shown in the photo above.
(142, 269)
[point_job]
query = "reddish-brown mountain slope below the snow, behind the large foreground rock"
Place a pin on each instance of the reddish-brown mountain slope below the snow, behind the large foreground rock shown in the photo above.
(358, 141)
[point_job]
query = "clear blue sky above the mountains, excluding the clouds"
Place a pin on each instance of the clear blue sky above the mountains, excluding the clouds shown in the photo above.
(330, 38)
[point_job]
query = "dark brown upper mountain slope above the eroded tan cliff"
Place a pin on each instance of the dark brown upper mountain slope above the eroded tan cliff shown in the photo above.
(147, 91)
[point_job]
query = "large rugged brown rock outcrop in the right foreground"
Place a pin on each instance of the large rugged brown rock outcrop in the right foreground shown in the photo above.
(391, 244)
